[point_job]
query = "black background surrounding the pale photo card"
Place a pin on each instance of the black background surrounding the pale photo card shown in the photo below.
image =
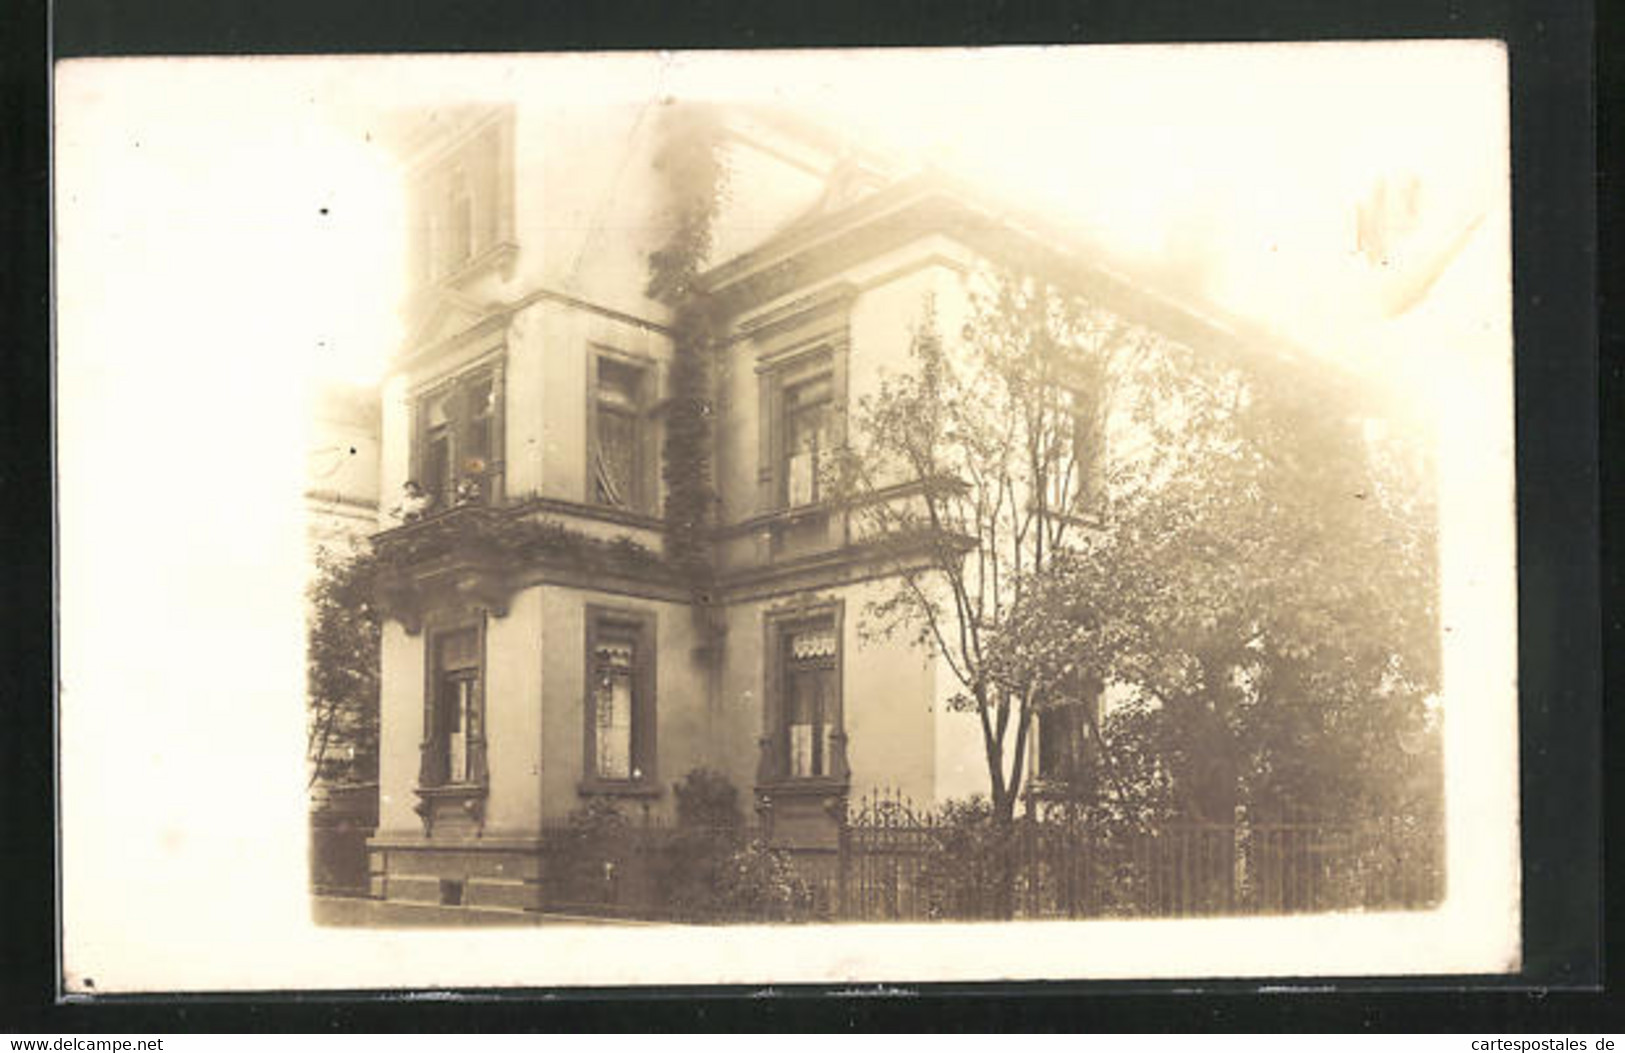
(1562, 626)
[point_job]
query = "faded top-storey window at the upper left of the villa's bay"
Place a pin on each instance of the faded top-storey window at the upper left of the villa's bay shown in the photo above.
(462, 202)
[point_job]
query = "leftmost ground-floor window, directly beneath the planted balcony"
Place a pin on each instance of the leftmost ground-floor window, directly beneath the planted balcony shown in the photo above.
(454, 734)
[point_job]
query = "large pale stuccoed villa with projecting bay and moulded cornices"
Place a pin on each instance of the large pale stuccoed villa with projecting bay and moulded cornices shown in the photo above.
(534, 388)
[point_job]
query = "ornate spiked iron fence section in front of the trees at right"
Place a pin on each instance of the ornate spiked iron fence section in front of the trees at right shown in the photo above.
(904, 865)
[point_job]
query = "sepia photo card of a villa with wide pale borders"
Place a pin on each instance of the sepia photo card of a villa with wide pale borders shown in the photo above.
(1064, 493)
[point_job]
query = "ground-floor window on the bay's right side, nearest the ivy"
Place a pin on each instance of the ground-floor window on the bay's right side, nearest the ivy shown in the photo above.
(620, 745)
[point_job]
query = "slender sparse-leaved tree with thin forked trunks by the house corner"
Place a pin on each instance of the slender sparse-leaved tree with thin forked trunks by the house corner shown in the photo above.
(982, 466)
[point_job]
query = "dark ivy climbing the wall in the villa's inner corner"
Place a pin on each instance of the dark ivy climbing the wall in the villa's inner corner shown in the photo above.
(690, 165)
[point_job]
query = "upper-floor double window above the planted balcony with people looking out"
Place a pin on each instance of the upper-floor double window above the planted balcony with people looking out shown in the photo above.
(459, 448)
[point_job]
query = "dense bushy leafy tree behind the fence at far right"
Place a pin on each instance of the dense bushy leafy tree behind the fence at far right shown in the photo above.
(1263, 604)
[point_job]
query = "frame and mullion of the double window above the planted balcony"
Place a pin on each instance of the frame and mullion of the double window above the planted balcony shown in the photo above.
(461, 422)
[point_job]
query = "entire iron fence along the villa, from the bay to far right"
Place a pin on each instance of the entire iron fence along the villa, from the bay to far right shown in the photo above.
(898, 864)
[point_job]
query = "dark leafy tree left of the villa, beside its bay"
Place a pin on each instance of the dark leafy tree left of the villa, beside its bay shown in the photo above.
(342, 670)
